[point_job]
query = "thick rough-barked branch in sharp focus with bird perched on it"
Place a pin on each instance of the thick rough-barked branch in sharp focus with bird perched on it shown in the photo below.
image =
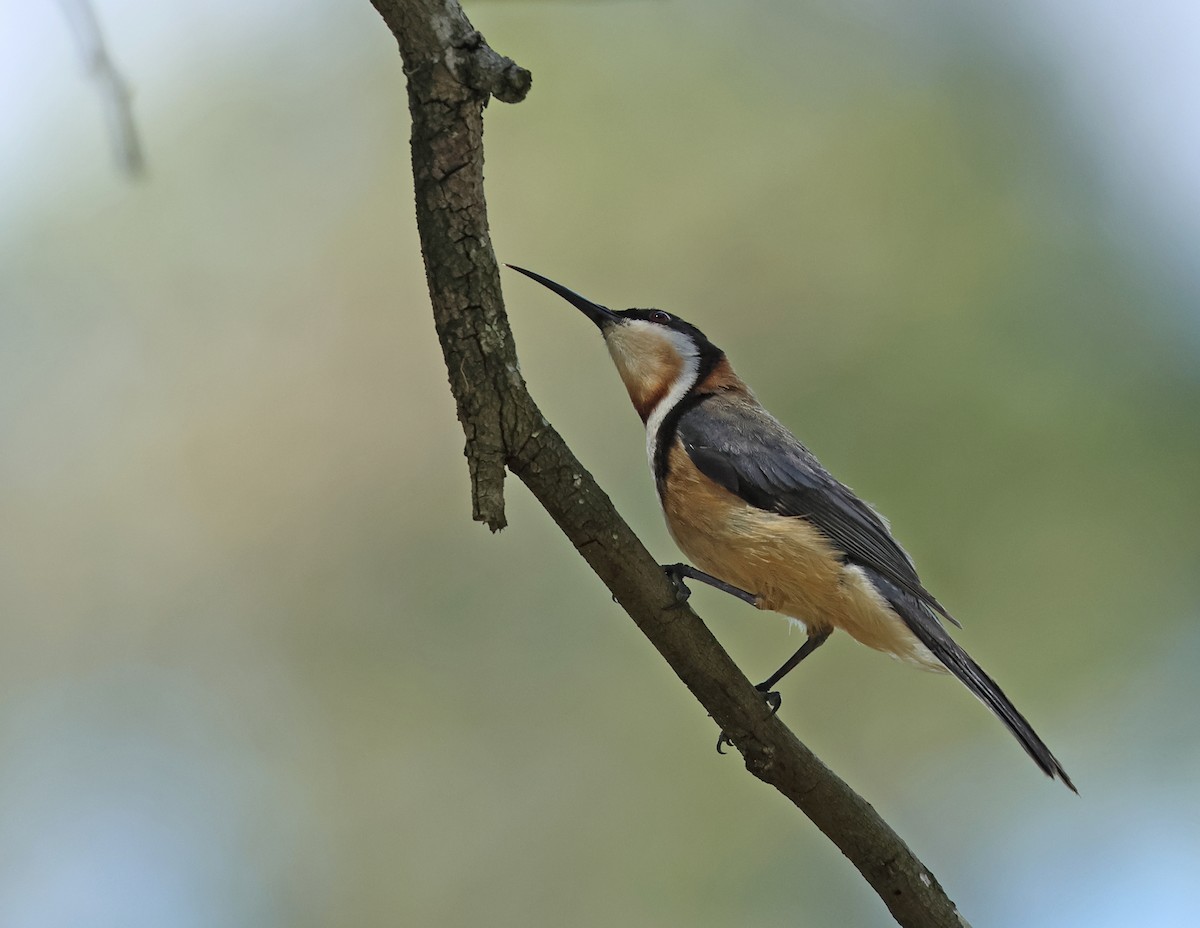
(452, 74)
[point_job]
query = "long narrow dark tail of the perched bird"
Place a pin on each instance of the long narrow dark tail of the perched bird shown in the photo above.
(934, 637)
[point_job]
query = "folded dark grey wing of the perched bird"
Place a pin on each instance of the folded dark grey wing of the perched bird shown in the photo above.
(754, 457)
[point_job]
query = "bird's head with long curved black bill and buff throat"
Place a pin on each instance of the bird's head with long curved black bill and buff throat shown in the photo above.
(658, 355)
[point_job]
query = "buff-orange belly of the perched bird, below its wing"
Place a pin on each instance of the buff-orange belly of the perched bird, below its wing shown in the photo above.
(784, 561)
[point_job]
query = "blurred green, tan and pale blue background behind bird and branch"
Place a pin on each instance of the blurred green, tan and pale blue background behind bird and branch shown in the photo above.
(261, 669)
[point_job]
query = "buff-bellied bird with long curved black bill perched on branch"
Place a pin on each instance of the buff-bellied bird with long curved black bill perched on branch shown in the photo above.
(760, 518)
